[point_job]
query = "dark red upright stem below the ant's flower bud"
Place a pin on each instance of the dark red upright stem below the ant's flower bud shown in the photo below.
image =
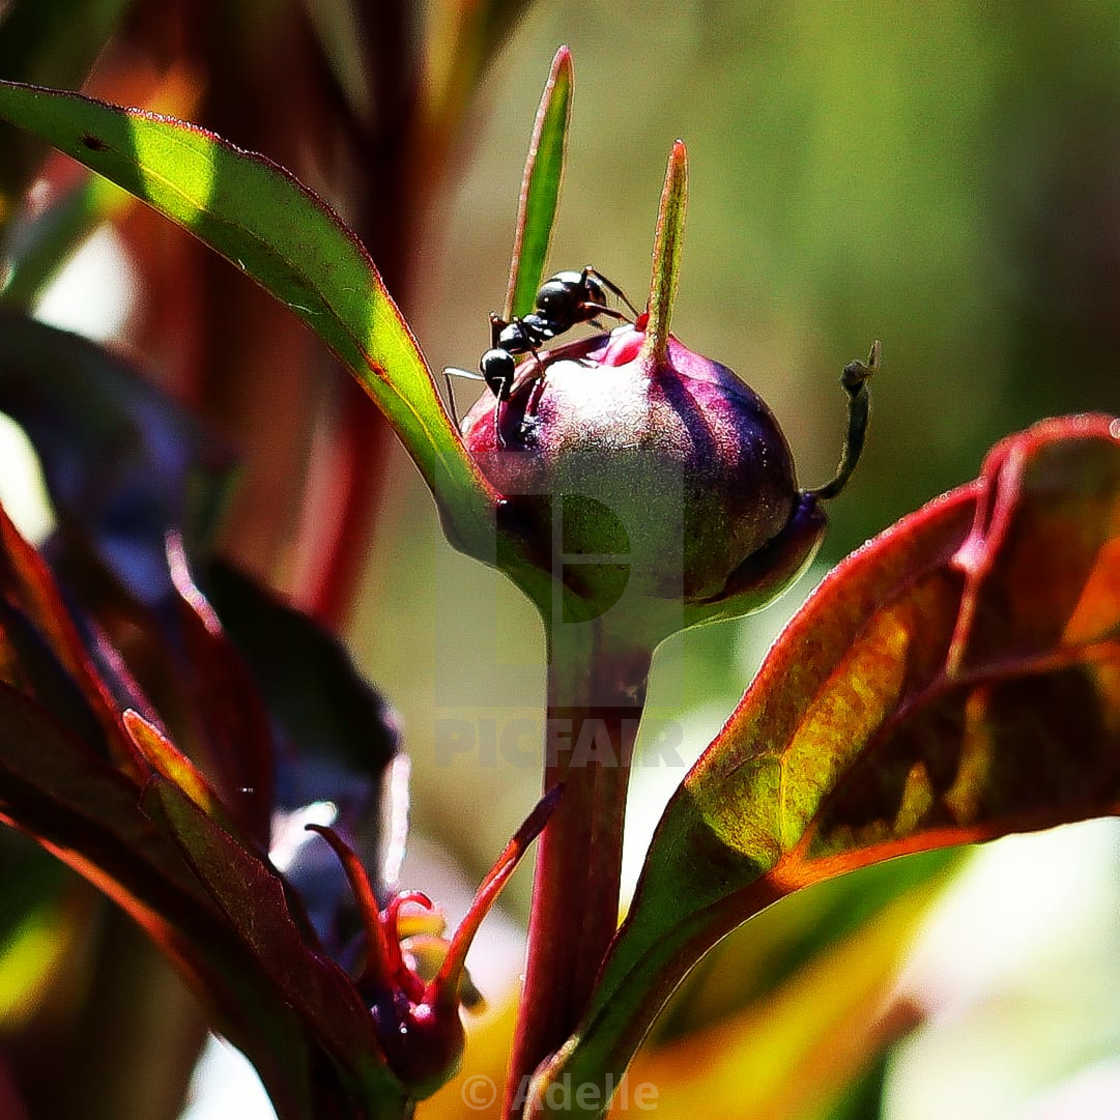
(596, 692)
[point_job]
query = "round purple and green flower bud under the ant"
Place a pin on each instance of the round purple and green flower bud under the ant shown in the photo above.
(674, 481)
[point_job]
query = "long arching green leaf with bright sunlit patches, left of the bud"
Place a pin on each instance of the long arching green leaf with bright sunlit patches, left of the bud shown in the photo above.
(259, 217)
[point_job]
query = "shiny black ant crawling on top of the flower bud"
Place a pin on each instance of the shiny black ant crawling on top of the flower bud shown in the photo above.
(563, 302)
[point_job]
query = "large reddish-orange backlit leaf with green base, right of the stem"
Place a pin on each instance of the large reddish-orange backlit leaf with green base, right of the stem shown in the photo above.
(956, 680)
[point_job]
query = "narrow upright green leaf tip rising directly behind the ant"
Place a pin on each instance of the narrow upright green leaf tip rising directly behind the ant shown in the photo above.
(540, 189)
